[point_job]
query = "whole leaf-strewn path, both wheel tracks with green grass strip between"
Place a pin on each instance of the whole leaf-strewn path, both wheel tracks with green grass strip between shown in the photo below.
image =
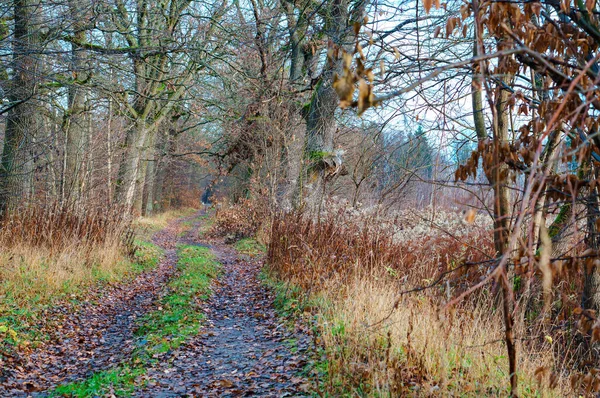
(200, 323)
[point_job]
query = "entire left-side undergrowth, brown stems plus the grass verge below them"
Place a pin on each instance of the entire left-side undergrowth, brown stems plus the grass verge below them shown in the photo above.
(51, 256)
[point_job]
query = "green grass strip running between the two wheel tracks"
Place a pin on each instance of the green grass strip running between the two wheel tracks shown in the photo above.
(178, 317)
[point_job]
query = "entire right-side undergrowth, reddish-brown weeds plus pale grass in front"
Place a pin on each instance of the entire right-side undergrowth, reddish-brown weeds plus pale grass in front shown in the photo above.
(348, 274)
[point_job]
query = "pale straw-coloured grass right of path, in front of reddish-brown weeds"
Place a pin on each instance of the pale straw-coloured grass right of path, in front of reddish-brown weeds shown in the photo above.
(416, 350)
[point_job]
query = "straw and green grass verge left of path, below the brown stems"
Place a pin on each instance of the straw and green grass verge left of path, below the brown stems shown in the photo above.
(35, 278)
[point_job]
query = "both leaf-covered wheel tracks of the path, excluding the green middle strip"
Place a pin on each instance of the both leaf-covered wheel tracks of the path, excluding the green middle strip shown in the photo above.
(242, 349)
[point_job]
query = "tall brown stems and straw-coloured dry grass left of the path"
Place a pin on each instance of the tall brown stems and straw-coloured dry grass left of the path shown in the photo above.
(52, 249)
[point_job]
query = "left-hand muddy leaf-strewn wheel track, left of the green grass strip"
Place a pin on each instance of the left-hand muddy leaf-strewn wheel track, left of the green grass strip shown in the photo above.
(97, 334)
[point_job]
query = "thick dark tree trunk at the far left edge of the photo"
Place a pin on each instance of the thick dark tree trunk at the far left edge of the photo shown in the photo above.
(23, 121)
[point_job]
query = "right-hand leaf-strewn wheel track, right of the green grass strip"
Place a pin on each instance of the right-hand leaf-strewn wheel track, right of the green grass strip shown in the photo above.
(243, 350)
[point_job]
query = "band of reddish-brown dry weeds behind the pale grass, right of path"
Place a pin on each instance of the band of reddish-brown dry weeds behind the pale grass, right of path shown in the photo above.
(310, 251)
